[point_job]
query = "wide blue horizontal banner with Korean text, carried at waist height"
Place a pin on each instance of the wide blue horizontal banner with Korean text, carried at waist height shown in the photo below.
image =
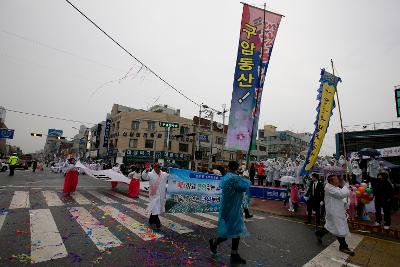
(190, 191)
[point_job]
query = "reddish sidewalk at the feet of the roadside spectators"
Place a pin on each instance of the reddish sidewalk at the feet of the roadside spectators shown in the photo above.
(275, 207)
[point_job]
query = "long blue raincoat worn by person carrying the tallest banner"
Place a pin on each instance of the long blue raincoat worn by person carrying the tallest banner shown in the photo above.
(230, 221)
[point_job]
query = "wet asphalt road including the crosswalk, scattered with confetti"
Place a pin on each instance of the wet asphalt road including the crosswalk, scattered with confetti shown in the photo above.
(98, 227)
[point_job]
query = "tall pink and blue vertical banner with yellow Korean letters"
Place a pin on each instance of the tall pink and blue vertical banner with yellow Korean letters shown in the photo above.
(257, 37)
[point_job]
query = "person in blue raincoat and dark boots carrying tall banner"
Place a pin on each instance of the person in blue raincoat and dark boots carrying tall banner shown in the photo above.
(230, 220)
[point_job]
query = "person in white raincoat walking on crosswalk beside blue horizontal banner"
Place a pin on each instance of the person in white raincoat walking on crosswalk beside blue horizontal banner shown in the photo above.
(157, 191)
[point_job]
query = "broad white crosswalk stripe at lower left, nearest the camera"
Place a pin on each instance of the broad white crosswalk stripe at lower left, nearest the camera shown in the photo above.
(46, 240)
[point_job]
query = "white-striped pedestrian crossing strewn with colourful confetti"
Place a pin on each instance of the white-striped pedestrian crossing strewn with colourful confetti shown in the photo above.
(84, 207)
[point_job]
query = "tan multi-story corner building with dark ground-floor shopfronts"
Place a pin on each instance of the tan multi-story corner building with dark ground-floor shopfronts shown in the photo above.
(137, 137)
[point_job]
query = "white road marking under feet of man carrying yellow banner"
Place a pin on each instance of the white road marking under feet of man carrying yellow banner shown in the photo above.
(332, 257)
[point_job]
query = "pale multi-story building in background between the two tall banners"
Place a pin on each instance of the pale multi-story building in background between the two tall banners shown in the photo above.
(284, 143)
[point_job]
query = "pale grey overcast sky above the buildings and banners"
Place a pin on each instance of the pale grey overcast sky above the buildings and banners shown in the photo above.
(54, 62)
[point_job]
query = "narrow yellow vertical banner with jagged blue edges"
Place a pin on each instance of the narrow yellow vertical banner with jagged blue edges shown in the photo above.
(326, 94)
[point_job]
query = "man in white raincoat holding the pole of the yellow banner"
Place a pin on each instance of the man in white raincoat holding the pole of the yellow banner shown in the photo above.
(335, 218)
